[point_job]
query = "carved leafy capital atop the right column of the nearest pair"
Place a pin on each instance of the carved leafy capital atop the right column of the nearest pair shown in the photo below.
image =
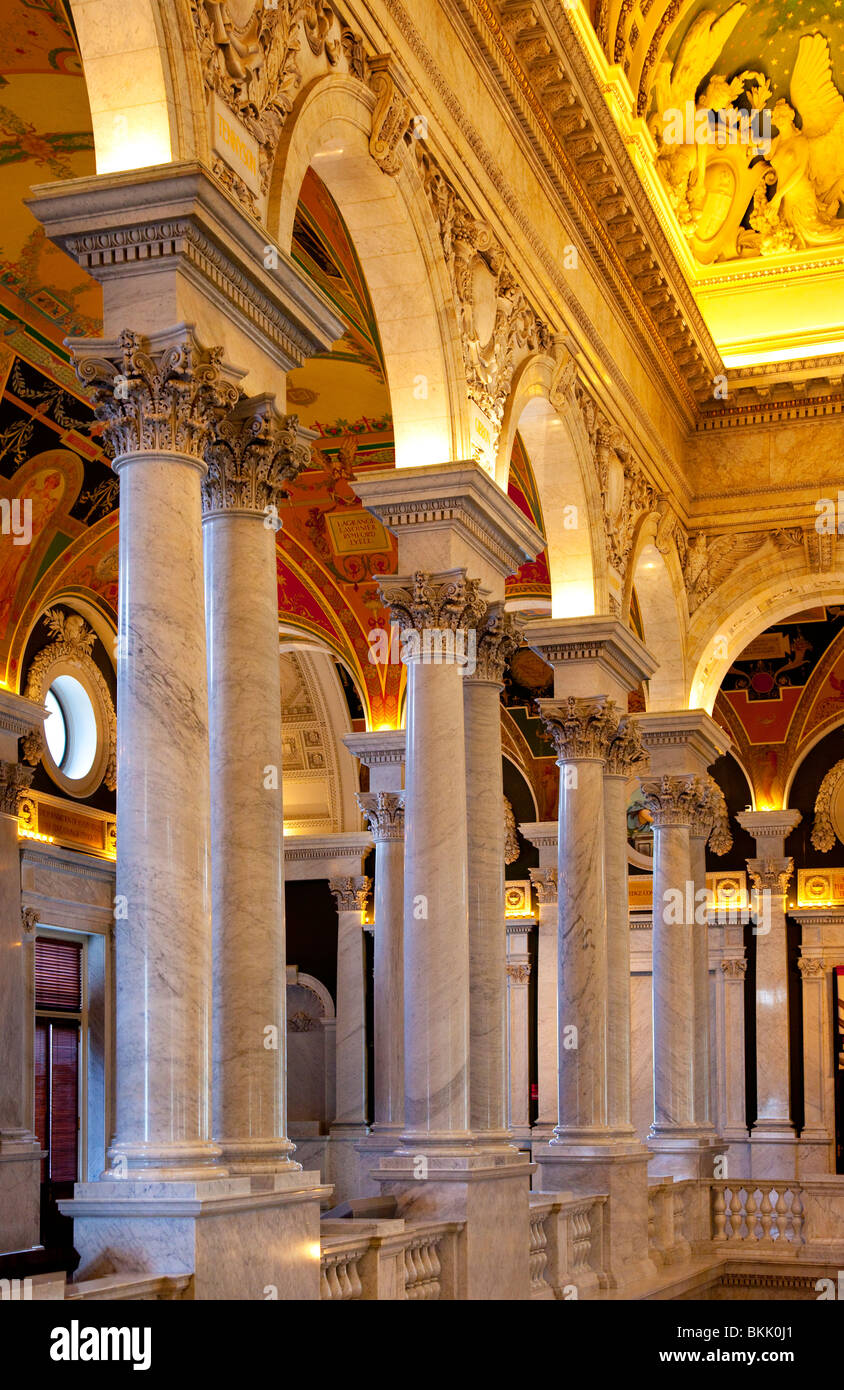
(252, 455)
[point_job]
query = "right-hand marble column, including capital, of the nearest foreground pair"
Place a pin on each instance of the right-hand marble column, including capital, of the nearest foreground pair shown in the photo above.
(254, 455)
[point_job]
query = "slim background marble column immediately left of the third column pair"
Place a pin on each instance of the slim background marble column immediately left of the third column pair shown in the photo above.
(544, 835)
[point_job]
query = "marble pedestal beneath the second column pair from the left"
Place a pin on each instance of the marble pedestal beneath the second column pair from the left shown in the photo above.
(486, 1188)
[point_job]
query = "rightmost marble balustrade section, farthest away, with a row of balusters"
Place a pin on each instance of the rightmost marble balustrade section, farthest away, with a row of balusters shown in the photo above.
(758, 1213)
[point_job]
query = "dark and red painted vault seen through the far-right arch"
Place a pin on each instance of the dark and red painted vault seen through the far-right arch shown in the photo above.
(782, 694)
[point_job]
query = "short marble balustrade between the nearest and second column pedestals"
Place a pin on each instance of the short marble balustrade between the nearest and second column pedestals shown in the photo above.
(390, 1260)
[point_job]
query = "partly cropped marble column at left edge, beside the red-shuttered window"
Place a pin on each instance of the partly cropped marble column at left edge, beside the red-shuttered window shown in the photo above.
(20, 1150)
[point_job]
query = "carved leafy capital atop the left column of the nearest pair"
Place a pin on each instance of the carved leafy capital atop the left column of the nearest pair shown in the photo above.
(165, 401)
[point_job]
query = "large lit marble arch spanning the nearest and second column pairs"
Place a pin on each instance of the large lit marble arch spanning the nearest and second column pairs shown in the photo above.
(396, 238)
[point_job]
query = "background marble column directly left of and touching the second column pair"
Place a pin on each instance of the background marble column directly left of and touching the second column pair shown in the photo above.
(384, 812)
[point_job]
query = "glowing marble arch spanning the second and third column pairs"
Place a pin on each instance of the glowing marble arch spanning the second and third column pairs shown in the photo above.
(564, 471)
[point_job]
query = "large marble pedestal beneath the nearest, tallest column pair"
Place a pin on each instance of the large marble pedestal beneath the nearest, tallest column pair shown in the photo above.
(241, 1238)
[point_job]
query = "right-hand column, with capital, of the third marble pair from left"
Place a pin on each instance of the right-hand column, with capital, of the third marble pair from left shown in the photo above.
(626, 760)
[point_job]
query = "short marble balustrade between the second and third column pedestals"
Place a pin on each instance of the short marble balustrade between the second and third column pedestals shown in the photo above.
(567, 1246)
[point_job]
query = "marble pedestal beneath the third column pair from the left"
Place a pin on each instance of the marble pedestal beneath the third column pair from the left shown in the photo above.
(619, 1171)
